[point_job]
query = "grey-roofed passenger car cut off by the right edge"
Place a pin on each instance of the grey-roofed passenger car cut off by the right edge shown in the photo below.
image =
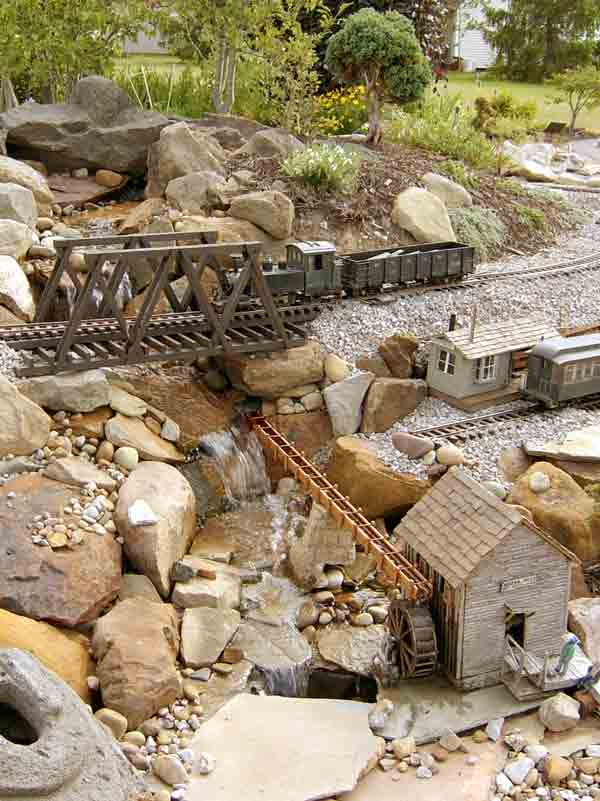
(561, 369)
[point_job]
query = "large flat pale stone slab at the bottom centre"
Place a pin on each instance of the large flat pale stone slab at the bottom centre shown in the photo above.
(316, 749)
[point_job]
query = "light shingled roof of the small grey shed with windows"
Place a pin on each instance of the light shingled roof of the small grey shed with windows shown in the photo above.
(500, 337)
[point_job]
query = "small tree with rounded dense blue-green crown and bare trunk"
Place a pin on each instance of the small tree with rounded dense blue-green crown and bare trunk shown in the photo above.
(381, 52)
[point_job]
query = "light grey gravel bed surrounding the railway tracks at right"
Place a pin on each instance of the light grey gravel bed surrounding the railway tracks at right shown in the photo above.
(353, 328)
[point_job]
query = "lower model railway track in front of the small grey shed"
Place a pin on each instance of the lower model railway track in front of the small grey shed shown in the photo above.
(481, 425)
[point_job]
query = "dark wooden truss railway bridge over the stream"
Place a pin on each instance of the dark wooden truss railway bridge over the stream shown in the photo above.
(99, 333)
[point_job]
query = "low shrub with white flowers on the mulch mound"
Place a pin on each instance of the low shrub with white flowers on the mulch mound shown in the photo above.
(325, 166)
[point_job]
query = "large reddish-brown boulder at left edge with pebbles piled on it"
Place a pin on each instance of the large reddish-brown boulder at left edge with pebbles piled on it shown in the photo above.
(70, 586)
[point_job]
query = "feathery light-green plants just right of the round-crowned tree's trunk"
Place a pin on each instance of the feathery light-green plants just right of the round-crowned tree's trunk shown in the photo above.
(444, 126)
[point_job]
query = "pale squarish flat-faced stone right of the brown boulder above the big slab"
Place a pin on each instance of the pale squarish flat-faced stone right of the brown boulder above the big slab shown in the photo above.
(205, 633)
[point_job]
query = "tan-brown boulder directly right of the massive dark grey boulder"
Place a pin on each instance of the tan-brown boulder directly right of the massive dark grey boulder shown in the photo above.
(181, 150)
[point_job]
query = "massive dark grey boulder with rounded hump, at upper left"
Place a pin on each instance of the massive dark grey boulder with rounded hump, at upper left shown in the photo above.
(97, 127)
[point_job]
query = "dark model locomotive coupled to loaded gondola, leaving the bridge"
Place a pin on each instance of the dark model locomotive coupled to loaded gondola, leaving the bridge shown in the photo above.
(314, 269)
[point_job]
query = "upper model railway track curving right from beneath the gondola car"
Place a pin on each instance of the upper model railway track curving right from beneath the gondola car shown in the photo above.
(584, 264)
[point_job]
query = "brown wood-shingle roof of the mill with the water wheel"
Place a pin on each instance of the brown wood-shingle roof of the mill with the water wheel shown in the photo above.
(458, 523)
